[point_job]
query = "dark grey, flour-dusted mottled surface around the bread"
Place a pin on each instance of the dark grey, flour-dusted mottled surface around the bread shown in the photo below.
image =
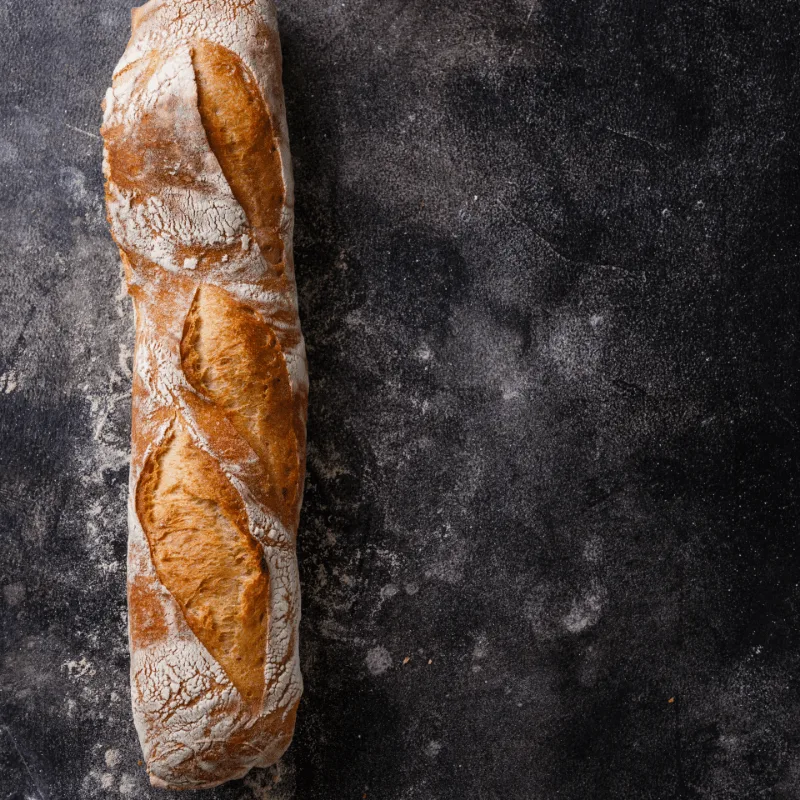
(547, 256)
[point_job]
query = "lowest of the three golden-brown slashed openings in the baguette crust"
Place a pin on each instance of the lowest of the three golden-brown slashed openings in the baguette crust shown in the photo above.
(196, 525)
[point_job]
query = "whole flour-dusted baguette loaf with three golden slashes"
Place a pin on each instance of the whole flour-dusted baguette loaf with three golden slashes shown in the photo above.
(200, 202)
